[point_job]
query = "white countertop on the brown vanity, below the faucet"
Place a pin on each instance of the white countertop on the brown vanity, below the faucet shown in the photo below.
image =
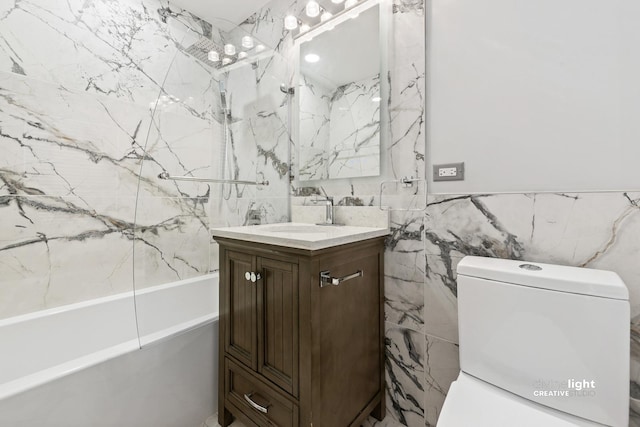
(300, 235)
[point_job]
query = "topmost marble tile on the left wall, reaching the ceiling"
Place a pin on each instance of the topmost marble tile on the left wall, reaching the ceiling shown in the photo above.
(122, 47)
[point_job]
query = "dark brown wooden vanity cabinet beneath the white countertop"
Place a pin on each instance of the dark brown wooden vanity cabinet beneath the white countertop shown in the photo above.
(295, 353)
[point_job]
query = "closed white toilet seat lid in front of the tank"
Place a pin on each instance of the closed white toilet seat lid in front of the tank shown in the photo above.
(472, 402)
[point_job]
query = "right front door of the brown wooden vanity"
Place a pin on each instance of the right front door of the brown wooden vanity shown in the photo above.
(278, 323)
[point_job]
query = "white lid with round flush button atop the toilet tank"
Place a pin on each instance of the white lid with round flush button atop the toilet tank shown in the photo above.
(577, 280)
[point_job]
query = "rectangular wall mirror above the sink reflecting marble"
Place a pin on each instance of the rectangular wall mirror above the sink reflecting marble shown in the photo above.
(339, 97)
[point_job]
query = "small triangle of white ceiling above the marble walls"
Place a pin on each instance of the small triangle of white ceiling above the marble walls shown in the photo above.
(224, 14)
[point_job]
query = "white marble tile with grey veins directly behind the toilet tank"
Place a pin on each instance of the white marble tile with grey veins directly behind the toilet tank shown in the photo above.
(596, 230)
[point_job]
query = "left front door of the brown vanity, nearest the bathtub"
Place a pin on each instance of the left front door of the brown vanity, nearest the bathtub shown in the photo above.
(240, 328)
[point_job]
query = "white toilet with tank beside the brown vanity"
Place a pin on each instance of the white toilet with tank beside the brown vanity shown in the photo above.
(540, 345)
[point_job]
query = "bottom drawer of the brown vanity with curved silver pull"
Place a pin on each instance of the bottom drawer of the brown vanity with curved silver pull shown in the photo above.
(264, 405)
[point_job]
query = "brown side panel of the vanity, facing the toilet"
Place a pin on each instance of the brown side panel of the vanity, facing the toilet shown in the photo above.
(349, 336)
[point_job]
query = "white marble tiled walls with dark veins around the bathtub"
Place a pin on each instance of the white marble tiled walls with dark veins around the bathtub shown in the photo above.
(96, 100)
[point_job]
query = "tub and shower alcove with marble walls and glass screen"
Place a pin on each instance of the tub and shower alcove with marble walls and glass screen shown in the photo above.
(128, 129)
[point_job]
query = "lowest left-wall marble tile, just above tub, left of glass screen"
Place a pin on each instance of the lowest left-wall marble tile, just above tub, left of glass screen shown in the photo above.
(54, 251)
